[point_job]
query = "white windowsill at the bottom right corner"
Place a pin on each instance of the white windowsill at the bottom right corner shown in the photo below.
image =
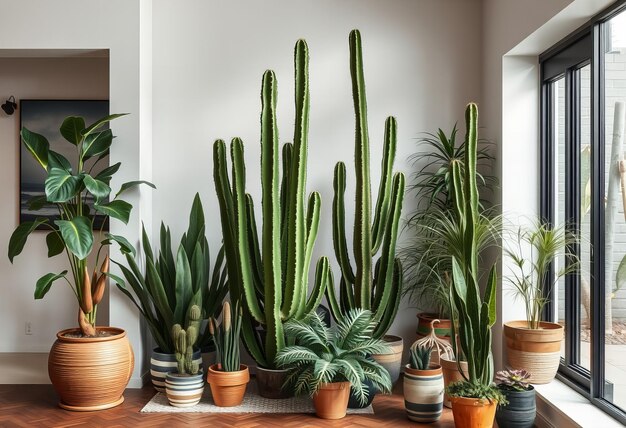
(558, 405)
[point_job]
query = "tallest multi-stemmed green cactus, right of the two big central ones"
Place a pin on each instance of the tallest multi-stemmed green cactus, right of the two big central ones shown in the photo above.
(373, 287)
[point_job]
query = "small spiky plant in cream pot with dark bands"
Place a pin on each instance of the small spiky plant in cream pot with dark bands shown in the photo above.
(423, 386)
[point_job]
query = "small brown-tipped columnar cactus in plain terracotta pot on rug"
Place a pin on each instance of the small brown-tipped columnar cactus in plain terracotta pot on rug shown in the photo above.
(228, 378)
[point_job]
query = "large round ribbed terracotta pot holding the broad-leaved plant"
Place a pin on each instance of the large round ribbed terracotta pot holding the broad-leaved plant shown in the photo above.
(91, 373)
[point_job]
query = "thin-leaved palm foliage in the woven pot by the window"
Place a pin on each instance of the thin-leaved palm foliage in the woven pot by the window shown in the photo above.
(537, 248)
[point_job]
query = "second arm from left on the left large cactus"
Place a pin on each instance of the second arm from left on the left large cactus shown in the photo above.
(239, 197)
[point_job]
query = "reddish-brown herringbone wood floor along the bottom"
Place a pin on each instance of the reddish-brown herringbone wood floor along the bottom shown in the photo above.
(35, 406)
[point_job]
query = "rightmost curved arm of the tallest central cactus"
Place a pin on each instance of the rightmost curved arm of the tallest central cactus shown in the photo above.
(385, 276)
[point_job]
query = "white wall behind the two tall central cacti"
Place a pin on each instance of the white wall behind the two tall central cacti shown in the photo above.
(209, 57)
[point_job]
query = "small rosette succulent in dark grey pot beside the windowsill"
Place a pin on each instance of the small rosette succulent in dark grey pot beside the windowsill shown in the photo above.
(522, 409)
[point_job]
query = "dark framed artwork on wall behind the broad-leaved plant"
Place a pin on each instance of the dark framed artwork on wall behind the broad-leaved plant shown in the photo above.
(45, 117)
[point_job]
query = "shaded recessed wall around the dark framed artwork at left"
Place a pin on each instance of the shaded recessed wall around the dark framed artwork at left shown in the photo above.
(36, 78)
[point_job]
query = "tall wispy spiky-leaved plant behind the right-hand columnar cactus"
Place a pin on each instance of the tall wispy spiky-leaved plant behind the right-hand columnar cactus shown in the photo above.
(426, 257)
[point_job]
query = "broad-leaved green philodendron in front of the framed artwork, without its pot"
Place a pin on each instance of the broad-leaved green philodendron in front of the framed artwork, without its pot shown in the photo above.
(68, 188)
